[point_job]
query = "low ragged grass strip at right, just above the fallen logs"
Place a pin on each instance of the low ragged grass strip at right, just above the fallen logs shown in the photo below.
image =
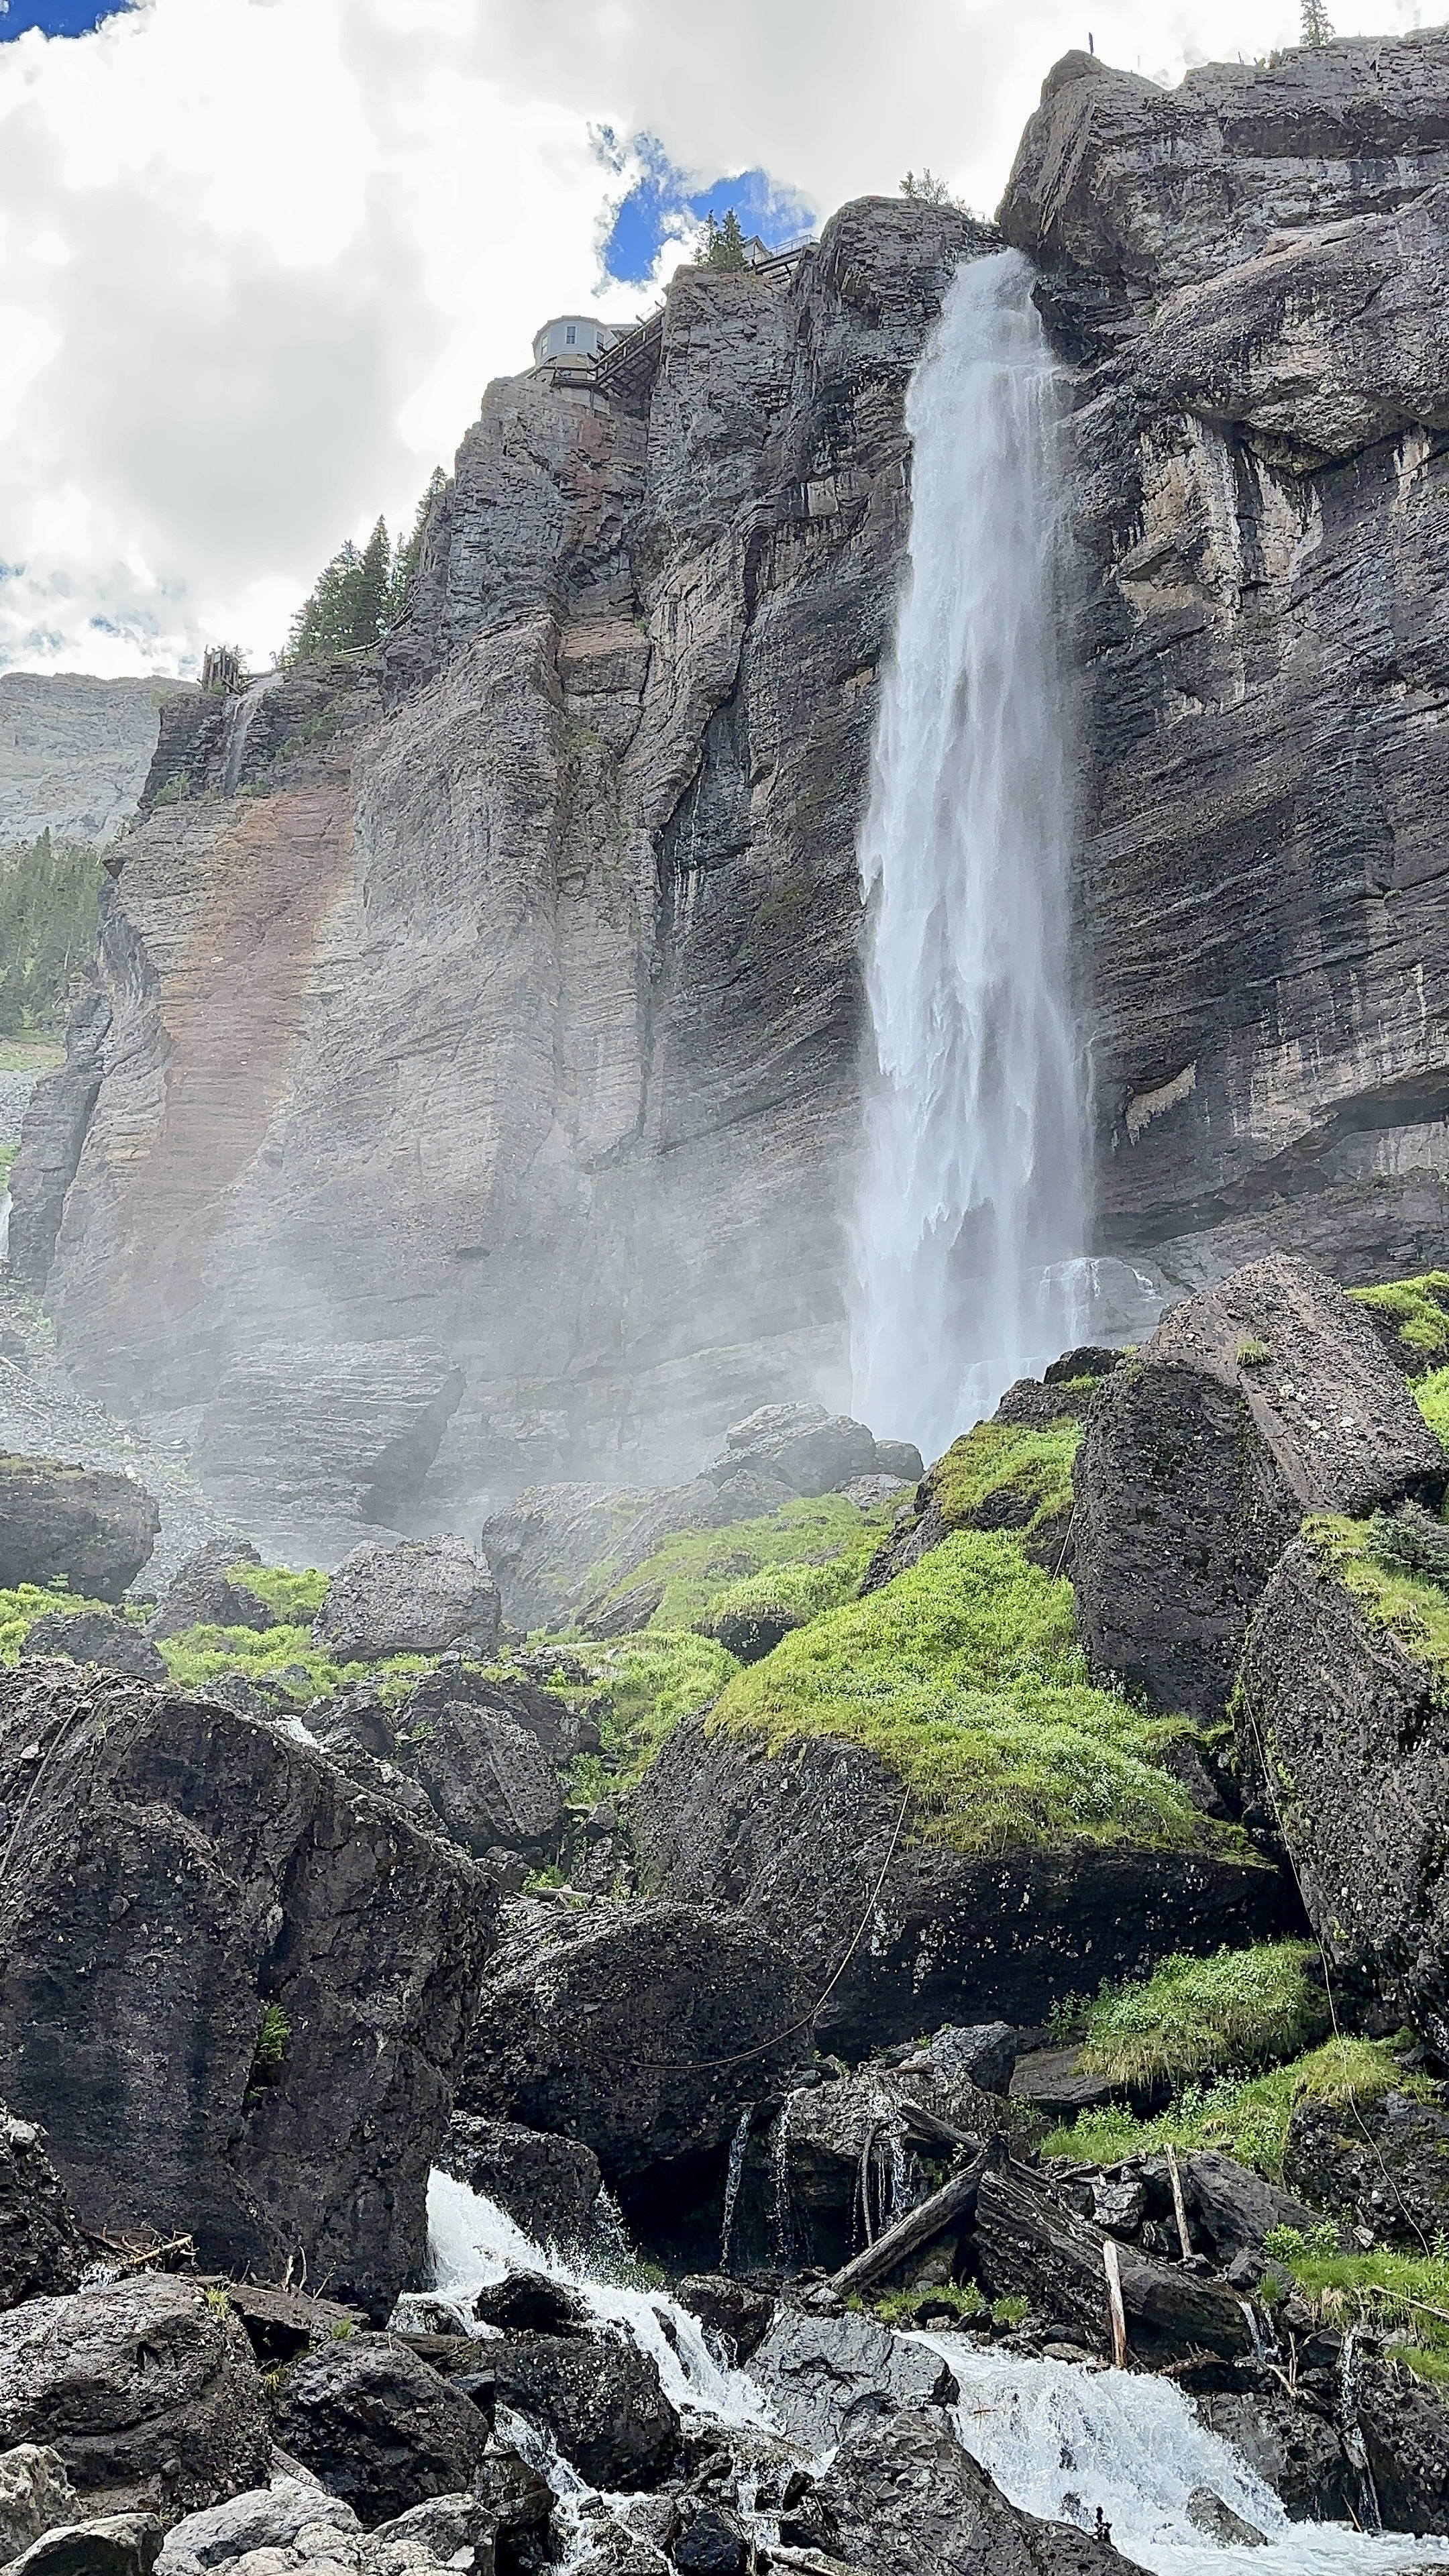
(1241, 2116)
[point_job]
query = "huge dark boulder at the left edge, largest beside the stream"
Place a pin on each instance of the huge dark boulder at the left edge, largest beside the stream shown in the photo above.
(236, 1985)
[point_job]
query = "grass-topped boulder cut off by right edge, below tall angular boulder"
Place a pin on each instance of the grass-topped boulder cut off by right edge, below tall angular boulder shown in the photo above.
(1342, 1745)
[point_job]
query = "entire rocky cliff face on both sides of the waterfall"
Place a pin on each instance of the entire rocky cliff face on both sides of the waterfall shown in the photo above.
(483, 1027)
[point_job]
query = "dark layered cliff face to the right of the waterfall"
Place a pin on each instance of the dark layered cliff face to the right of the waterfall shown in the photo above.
(1249, 279)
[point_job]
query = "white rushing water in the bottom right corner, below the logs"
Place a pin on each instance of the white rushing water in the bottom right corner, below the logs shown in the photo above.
(1066, 2443)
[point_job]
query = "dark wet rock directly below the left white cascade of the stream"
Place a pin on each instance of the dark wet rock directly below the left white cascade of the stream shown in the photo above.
(599, 2400)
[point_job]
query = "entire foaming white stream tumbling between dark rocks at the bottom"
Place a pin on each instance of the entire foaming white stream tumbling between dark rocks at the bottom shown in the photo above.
(1061, 2441)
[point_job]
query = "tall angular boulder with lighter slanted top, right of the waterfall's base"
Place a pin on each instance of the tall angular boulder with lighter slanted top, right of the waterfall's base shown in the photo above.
(1252, 1405)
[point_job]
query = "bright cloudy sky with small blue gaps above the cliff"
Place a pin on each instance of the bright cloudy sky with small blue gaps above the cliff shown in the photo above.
(262, 256)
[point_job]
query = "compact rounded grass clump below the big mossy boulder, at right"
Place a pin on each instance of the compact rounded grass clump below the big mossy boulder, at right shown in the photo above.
(1198, 2016)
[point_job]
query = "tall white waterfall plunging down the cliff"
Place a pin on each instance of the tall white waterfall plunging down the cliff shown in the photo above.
(973, 1197)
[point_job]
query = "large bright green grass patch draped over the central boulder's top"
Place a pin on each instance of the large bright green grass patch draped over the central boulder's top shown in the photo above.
(966, 1676)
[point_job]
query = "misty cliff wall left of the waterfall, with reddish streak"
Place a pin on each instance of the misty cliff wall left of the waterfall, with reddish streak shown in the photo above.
(496, 1042)
